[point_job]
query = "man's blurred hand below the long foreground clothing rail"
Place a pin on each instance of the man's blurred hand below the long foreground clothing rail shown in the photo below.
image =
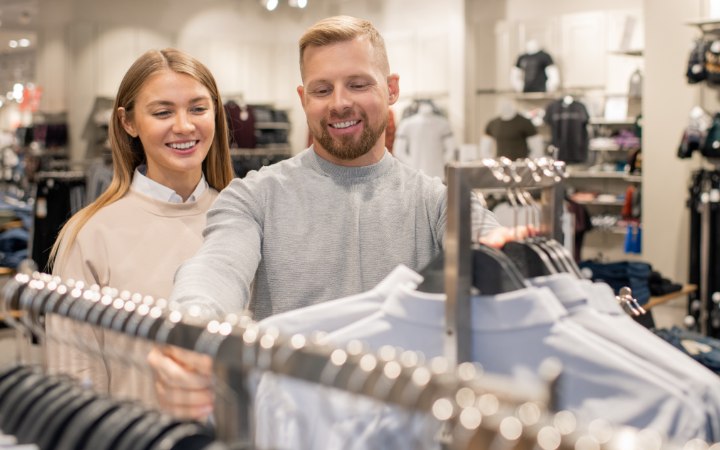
(183, 382)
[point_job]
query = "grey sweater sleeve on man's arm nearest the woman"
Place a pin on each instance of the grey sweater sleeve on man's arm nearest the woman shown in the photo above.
(218, 278)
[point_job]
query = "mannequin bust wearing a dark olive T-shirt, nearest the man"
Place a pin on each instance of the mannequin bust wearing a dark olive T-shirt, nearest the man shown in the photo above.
(510, 135)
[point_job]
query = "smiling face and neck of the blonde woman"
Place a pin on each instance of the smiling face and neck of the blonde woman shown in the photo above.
(175, 121)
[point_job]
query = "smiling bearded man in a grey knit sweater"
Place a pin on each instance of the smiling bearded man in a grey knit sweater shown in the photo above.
(327, 223)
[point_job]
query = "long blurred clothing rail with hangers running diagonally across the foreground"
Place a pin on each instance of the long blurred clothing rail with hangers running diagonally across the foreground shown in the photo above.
(478, 411)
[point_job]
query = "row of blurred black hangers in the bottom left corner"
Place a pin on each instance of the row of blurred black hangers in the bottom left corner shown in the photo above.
(56, 413)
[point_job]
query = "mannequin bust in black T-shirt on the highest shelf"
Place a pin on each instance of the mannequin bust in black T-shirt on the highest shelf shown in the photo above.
(535, 70)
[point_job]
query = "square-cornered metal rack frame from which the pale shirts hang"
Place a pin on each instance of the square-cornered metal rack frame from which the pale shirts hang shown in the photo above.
(488, 175)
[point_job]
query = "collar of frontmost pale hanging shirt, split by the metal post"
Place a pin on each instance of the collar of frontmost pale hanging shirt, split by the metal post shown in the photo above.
(514, 310)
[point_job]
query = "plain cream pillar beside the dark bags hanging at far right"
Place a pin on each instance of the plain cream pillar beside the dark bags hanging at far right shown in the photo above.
(667, 99)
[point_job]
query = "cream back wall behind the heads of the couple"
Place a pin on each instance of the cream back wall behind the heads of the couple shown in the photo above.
(87, 45)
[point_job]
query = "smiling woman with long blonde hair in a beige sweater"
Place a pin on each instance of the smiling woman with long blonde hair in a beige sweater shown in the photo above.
(171, 157)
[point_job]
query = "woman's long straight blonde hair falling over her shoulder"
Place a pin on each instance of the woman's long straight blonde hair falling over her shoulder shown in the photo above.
(128, 153)
